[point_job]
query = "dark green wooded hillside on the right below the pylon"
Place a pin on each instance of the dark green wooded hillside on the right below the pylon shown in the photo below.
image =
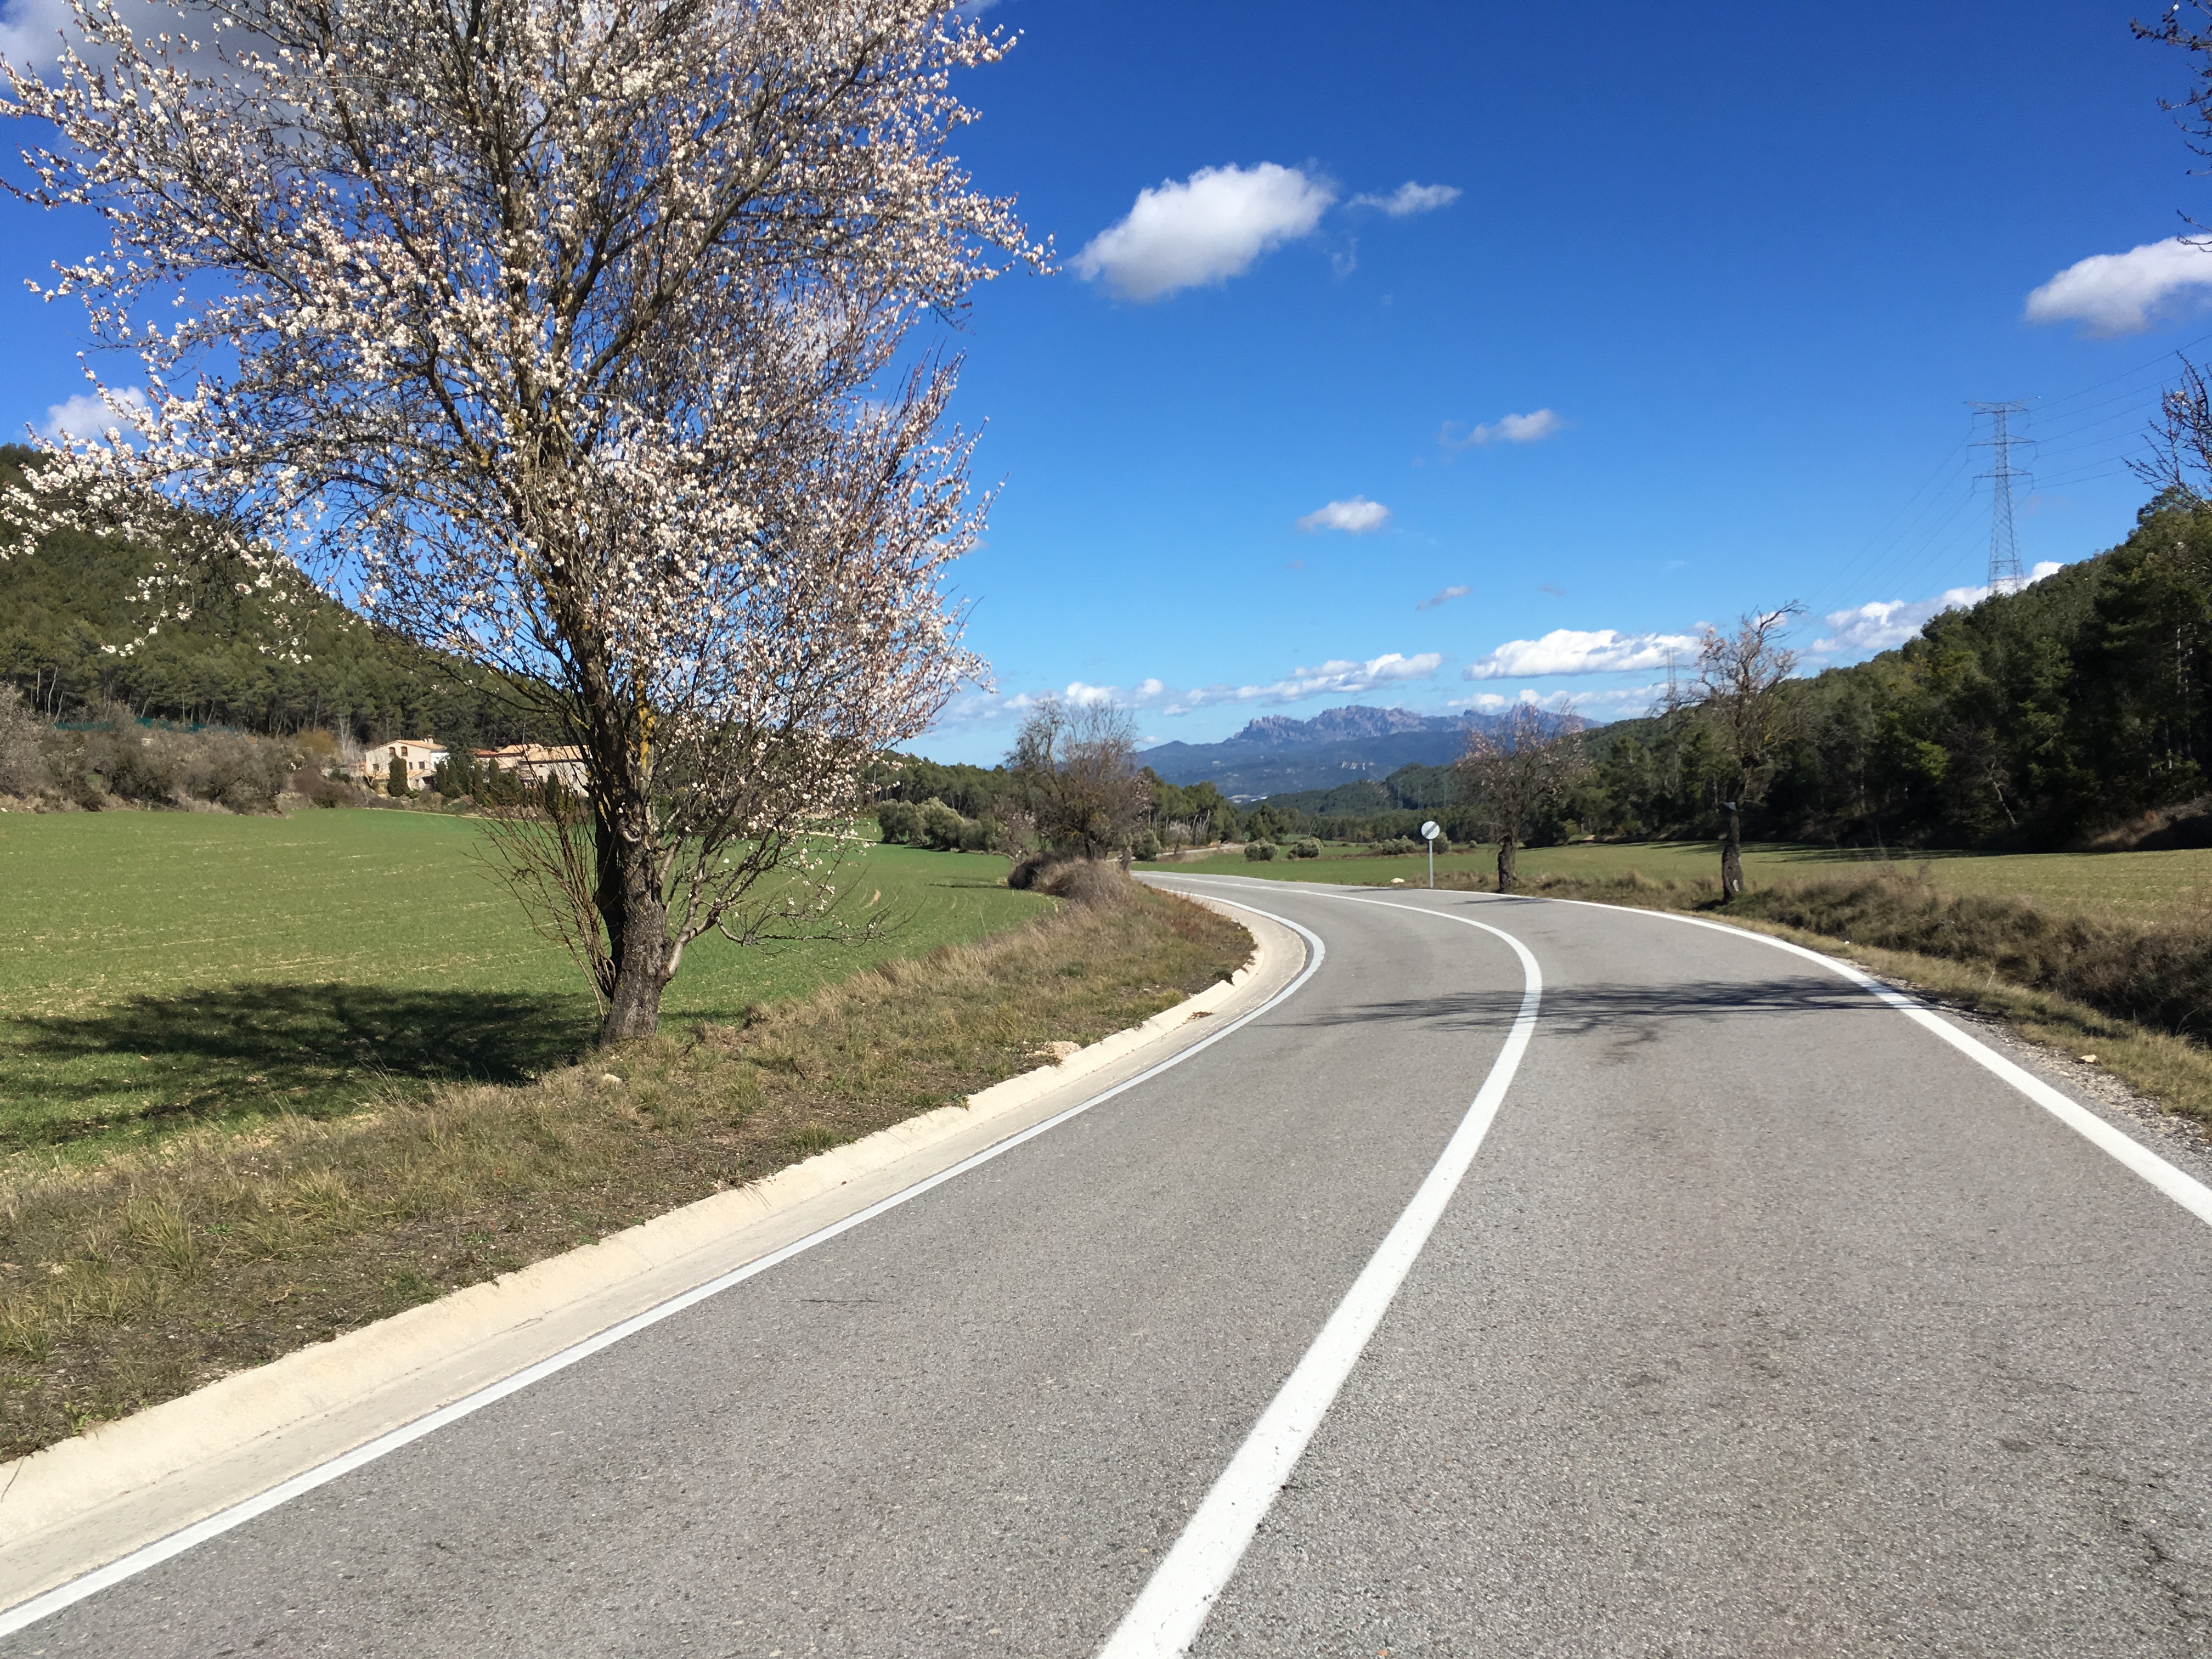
(2034, 720)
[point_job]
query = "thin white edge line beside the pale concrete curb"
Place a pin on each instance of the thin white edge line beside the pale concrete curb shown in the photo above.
(43, 1607)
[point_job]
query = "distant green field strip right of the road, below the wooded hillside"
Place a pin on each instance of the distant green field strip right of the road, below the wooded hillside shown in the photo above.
(2122, 886)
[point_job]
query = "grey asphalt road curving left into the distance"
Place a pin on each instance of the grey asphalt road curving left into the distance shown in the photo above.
(1762, 1324)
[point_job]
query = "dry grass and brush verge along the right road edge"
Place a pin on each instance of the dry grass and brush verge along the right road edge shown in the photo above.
(1981, 957)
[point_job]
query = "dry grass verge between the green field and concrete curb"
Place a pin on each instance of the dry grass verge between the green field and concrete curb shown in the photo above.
(165, 1269)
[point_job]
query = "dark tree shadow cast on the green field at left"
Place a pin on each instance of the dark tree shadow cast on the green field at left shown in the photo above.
(313, 1050)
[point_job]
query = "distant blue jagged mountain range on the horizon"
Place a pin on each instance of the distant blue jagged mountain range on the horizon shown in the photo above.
(1275, 755)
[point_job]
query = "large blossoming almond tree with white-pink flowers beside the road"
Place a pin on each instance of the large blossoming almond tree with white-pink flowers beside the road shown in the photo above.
(559, 335)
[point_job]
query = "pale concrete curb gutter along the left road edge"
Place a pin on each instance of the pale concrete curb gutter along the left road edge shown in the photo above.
(92, 1501)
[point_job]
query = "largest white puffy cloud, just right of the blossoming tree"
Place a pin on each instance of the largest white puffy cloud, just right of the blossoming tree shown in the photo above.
(1204, 231)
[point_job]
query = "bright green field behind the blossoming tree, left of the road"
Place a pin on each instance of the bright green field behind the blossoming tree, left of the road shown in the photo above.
(163, 968)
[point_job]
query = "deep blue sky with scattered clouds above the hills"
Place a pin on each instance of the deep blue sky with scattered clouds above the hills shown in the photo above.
(1682, 322)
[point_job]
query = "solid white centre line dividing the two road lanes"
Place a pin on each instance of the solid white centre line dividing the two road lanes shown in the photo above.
(1176, 1600)
